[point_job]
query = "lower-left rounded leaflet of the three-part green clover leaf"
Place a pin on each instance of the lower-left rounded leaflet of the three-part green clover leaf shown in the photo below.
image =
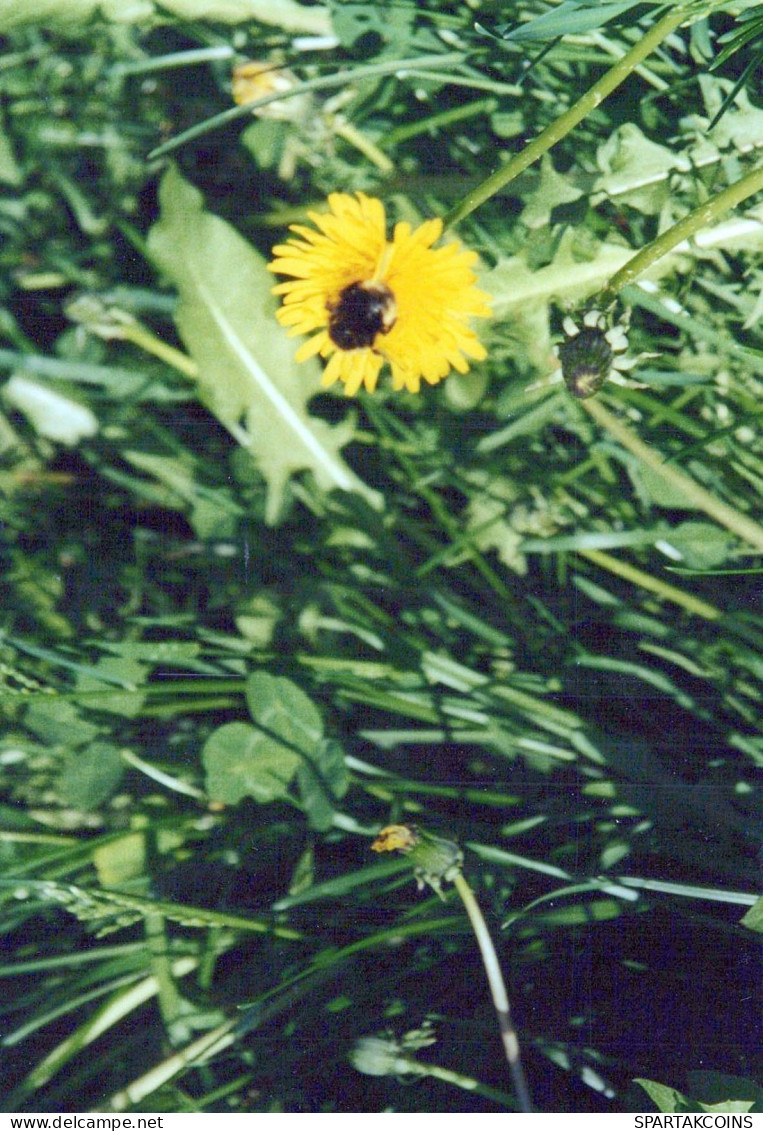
(242, 762)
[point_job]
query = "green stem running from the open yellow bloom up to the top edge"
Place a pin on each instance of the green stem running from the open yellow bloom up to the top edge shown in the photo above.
(568, 122)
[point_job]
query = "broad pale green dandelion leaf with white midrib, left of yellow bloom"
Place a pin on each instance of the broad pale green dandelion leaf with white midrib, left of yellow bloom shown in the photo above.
(248, 376)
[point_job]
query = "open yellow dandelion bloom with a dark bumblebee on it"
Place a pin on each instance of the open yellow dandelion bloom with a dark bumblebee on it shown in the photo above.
(374, 300)
